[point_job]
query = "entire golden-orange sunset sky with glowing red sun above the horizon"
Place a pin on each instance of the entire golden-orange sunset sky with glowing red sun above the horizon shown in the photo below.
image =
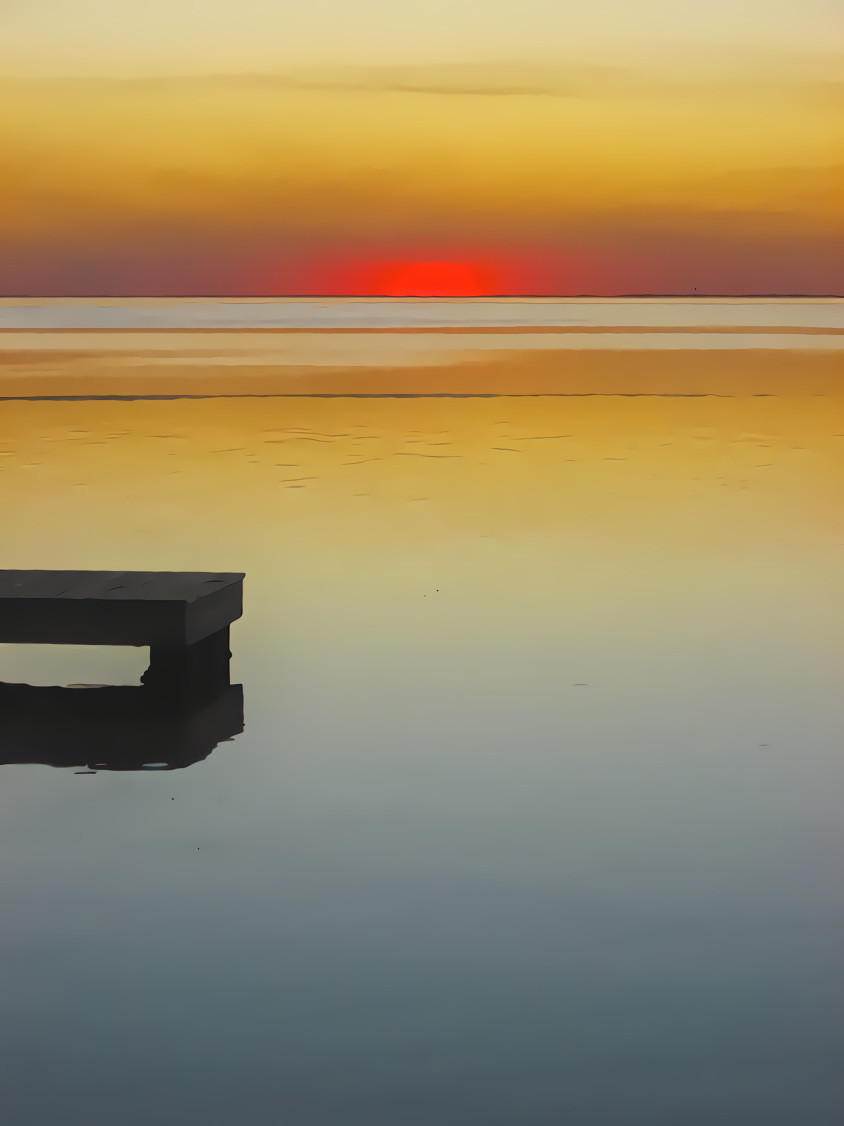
(453, 147)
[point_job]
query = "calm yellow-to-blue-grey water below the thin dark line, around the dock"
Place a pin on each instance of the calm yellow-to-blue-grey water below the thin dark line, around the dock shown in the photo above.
(537, 816)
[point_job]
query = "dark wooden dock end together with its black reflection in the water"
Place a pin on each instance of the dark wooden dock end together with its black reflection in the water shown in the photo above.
(186, 704)
